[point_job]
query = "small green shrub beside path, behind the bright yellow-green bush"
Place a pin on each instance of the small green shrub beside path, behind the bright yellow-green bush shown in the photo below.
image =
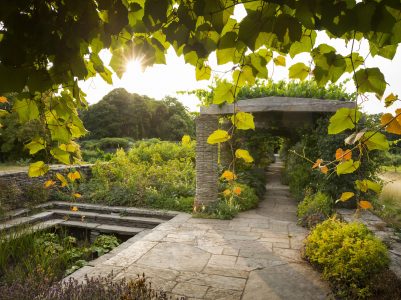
(314, 209)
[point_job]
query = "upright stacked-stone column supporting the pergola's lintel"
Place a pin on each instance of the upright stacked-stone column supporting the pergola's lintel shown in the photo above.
(206, 161)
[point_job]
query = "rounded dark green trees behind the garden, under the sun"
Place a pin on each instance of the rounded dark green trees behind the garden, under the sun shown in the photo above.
(125, 115)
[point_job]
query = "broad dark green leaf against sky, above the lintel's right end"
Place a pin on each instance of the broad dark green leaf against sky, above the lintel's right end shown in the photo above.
(370, 80)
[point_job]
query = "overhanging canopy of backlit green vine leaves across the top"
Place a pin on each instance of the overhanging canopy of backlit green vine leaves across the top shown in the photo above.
(46, 47)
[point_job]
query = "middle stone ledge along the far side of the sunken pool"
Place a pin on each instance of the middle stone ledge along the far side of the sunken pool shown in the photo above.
(108, 218)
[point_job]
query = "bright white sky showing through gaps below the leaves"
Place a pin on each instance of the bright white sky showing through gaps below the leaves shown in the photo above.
(162, 80)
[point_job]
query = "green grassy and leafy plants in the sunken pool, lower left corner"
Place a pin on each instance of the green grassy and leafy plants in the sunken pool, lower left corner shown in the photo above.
(44, 256)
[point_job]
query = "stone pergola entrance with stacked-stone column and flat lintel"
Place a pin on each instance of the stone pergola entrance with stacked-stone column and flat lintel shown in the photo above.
(289, 111)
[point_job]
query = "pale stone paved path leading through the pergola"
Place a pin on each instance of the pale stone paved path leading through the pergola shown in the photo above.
(255, 256)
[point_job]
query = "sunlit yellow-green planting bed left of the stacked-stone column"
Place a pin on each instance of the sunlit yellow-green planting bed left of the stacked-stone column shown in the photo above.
(152, 174)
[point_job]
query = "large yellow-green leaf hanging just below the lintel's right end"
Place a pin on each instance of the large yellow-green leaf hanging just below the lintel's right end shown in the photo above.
(344, 118)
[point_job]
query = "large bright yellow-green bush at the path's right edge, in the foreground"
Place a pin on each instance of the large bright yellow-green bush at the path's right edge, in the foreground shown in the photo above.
(348, 255)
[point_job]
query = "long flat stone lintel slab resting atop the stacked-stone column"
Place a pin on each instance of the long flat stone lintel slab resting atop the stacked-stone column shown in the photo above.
(278, 104)
